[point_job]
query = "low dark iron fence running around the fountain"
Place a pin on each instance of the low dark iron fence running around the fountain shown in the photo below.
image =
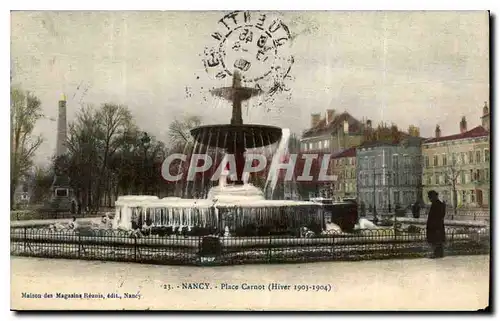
(115, 245)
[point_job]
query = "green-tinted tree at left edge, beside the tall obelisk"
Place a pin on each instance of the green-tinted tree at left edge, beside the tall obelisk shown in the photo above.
(25, 111)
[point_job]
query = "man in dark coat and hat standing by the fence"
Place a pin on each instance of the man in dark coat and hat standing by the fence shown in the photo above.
(435, 225)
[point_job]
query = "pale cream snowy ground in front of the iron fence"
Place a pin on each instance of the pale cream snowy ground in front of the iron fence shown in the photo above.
(451, 283)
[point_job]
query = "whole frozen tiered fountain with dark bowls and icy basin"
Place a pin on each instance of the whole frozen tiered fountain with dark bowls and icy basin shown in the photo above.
(238, 207)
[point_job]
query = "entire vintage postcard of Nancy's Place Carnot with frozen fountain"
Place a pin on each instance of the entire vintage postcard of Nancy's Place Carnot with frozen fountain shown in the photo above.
(250, 160)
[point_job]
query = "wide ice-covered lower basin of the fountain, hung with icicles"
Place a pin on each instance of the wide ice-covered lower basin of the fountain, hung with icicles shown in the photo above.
(232, 211)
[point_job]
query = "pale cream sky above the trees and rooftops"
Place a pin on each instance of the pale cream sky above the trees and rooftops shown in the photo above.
(409, 68)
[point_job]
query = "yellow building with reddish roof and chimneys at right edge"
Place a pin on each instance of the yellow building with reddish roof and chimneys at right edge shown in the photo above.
(458, 166)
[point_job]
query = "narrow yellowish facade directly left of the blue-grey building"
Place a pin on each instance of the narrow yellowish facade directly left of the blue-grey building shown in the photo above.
(343, 169)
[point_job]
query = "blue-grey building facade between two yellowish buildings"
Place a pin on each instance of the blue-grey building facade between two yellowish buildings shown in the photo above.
(389, 174)
